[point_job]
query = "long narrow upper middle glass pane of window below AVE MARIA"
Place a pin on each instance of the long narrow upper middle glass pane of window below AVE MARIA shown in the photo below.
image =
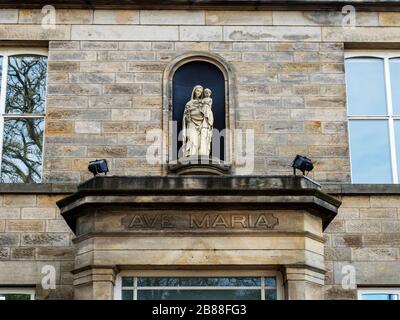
(198, 282)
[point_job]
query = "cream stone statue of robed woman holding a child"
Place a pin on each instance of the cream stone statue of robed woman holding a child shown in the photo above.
(197, 126)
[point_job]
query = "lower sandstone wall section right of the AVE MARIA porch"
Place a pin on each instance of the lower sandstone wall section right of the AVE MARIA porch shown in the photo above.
(366, 235)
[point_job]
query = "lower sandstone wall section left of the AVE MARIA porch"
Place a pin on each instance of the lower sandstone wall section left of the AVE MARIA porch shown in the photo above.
(33, 235)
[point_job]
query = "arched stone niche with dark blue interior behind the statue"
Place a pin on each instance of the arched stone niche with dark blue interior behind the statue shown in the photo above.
(180, 76)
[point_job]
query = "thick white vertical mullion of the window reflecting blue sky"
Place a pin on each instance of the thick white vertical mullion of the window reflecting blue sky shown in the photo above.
(392, 142)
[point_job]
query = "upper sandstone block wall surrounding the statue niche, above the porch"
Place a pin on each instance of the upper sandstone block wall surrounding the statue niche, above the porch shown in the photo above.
(105, 82)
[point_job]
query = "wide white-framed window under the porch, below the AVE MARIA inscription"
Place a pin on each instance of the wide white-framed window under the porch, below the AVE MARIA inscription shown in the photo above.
(198, 287)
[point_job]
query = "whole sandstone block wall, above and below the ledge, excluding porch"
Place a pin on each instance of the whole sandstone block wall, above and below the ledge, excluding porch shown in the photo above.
(105, 94)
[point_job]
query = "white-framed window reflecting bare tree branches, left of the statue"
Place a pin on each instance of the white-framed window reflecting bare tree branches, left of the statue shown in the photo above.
(23, 74)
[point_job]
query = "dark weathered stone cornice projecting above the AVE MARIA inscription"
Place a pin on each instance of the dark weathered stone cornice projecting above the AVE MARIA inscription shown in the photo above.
(250, 192)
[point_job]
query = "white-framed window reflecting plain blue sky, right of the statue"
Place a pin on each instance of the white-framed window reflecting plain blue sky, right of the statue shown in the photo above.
(373, 108)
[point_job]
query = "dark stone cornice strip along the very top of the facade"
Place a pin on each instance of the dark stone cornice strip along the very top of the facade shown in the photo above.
(367, 5)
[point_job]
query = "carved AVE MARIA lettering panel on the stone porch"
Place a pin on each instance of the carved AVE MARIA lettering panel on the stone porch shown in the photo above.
(150, 221)
